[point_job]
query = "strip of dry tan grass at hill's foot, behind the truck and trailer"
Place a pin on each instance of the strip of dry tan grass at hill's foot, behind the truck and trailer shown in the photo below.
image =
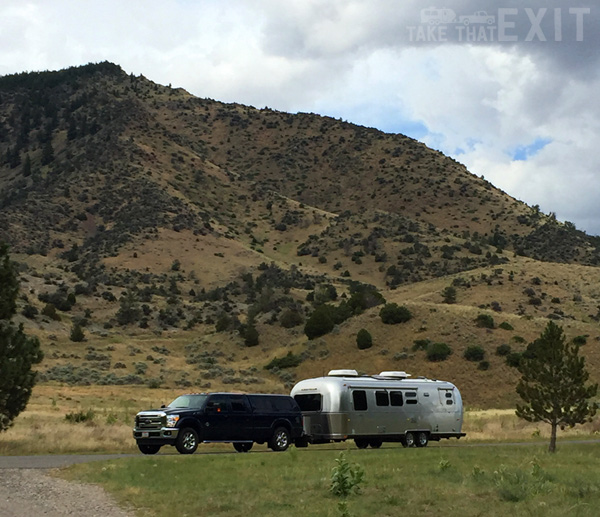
(43, 429)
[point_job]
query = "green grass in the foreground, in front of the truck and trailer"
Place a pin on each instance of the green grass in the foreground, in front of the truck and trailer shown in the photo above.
(449, 481)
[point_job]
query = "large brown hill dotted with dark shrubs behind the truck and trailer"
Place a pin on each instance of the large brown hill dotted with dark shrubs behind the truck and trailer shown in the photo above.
(169, 227)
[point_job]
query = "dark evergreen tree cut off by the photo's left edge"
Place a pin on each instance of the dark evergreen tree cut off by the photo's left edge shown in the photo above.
(18, 352)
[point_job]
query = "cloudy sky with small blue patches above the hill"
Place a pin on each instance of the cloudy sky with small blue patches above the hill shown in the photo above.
(508, 88)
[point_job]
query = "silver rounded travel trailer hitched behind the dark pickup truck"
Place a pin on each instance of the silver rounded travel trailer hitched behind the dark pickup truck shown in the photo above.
(372, 409)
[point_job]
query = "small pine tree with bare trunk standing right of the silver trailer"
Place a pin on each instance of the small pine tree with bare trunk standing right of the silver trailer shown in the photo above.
(553, 383)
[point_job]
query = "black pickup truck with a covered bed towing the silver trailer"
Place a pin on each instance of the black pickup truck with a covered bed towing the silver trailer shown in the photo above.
(220, 417)
